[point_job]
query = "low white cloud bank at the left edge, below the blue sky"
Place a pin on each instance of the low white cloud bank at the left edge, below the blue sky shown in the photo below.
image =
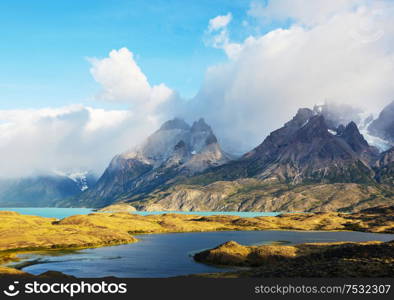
(67, 139)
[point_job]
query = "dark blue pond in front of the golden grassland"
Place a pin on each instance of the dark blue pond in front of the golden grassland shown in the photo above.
(166, 255)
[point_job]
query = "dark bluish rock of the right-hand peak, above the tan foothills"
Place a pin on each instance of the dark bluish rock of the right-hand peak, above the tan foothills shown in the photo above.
(304, 150)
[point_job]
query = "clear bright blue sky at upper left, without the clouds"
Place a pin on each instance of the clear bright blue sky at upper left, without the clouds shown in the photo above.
(45, 43)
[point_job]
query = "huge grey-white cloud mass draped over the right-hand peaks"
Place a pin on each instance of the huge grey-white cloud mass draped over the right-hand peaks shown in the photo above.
(345, 54)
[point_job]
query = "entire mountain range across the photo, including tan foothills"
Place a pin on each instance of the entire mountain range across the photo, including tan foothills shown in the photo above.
(317, 161)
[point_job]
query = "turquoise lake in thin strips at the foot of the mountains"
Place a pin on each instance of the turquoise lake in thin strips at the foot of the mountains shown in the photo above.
(60, 213)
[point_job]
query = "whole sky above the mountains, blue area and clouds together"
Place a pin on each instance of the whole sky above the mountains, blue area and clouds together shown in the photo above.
(340, 50)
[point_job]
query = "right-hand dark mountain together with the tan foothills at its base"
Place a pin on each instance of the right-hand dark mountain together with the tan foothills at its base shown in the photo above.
(305, 165)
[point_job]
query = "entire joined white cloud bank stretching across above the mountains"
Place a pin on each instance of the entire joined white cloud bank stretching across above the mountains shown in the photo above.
(342, 53)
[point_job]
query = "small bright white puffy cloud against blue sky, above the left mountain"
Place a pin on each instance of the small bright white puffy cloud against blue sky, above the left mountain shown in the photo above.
(122, 80)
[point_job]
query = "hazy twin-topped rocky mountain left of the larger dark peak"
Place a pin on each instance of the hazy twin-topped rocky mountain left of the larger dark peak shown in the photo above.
(176, 149)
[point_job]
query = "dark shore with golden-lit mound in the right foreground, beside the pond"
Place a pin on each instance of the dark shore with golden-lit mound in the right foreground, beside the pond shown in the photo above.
(365, 259)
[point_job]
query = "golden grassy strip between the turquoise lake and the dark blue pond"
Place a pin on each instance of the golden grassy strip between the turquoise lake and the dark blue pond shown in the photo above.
(25, 233)
